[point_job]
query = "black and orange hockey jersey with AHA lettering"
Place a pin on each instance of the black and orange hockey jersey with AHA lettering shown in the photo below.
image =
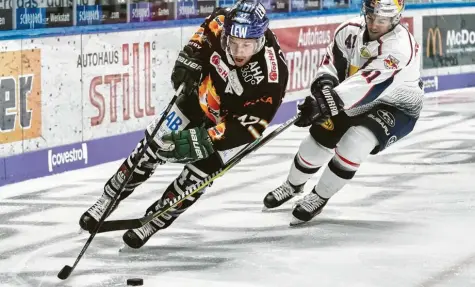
(240, 101)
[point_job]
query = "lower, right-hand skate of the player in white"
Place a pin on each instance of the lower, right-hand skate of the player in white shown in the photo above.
(307, 208)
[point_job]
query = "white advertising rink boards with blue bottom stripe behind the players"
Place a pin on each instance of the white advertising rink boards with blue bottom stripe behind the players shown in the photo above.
(80, 100)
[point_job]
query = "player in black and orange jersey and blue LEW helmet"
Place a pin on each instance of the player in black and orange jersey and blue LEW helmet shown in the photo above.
(235, 78)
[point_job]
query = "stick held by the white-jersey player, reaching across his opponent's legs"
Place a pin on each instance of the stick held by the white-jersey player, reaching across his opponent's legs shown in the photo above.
(114, 225)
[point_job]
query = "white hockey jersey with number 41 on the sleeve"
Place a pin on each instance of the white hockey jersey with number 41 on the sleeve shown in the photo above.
(386, 70)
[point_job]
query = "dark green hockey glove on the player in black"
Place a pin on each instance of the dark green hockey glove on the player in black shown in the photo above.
(187, 145)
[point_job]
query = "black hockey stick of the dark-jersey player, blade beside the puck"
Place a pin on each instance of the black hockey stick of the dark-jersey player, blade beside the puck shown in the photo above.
(66, 271)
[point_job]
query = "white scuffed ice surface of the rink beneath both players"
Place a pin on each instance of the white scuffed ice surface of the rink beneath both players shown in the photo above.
(405, 220)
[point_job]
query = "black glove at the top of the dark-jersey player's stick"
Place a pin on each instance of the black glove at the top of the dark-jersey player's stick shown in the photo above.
(187, 70)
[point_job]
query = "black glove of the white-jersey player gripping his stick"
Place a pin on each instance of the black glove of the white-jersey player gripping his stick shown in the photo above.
(323, 104)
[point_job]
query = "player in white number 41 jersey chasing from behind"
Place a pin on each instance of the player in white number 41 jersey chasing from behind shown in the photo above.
(367, 95)
